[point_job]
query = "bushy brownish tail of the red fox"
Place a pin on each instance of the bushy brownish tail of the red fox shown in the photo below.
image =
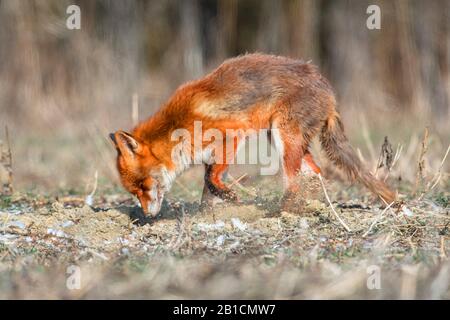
(341, 153)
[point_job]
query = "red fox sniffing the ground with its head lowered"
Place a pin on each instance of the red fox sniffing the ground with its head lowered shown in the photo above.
(253, 91)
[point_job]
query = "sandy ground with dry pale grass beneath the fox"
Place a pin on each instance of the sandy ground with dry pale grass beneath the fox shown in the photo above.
(247, 251)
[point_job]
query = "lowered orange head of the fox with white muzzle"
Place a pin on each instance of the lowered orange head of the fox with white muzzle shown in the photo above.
(139, 170)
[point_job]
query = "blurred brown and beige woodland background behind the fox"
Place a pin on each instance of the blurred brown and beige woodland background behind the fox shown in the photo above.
(62, 91)
